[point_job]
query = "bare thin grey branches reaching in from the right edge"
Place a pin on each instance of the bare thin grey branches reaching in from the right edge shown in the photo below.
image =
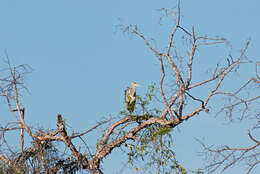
(224, 157)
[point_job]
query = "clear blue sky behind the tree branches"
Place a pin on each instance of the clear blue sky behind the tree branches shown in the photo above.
(82, 62)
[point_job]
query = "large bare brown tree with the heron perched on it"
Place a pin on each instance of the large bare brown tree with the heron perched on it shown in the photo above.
(145, 133)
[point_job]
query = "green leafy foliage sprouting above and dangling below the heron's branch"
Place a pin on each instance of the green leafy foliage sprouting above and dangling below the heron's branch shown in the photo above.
(155, 146)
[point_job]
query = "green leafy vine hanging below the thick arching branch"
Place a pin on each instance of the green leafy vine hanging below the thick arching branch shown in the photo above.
(154, 150)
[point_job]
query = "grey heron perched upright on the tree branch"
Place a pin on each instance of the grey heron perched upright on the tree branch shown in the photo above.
(130, 96)
